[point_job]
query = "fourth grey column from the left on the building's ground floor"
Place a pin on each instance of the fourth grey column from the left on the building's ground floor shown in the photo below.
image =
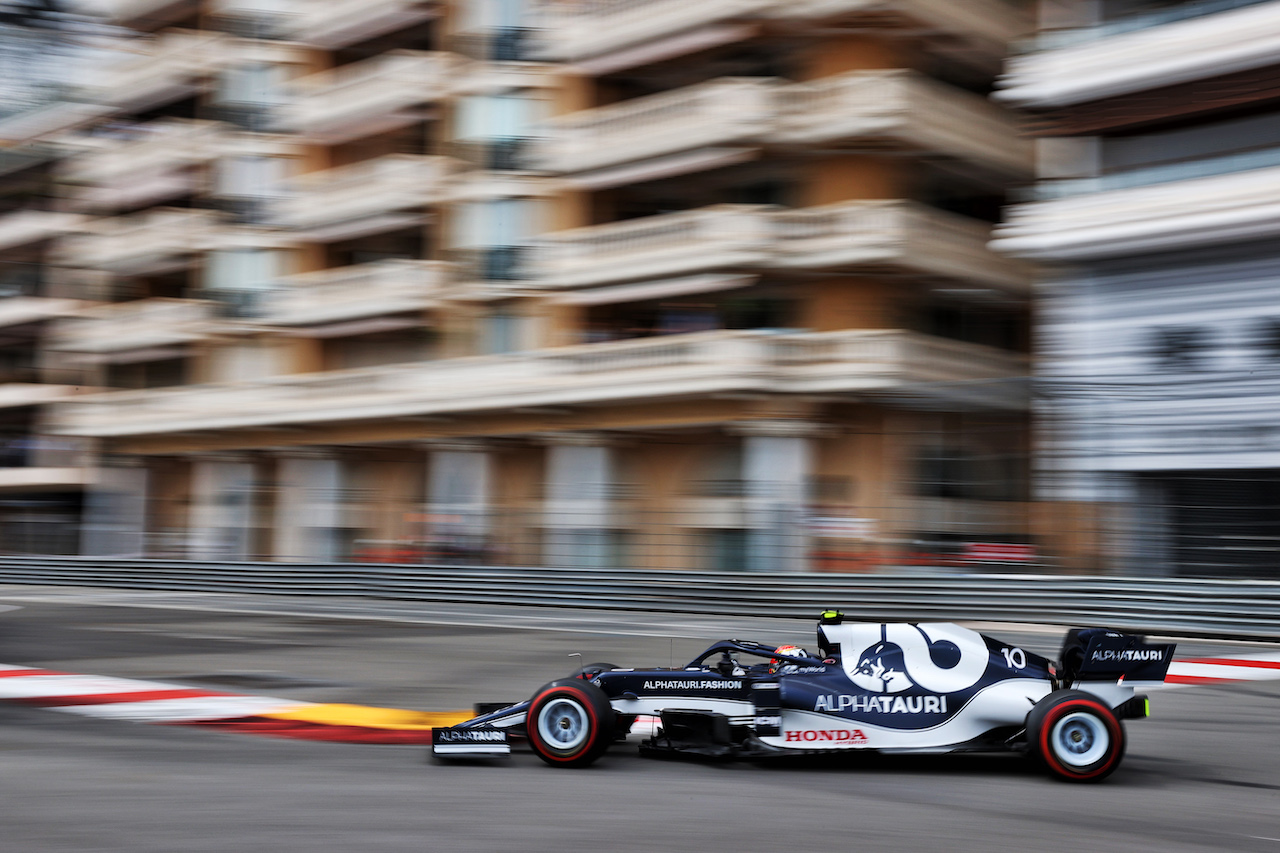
(459, 487)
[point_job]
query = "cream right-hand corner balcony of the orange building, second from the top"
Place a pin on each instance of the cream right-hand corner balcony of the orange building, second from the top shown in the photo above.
(902, 110)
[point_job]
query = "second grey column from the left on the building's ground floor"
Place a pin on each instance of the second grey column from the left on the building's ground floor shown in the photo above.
(222, 508)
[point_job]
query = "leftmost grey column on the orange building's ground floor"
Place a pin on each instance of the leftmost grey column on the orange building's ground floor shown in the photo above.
(116, 510)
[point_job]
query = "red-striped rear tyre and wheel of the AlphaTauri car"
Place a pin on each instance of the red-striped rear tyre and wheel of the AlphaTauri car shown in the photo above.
(1076, 737)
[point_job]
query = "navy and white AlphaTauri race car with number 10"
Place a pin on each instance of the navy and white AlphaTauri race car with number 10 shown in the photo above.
(892, 688)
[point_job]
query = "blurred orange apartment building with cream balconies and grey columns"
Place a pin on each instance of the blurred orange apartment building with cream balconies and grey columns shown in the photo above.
(625, 282)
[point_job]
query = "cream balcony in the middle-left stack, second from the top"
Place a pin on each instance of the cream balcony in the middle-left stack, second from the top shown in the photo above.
(371, 97)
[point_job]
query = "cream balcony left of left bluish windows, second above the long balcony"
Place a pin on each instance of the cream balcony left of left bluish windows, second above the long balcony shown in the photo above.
(162, 240)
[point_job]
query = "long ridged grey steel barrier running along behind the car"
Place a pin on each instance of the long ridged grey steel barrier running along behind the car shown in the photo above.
(1246, 609)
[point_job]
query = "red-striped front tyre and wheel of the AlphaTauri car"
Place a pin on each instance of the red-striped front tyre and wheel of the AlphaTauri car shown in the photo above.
(570, 723)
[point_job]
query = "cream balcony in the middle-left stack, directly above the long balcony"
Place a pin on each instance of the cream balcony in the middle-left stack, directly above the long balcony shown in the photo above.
(356, 293)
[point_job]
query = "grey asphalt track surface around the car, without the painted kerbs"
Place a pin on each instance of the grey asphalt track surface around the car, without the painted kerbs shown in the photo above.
(1203, 776)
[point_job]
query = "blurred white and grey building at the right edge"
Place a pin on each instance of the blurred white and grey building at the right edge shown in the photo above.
(1156, 211)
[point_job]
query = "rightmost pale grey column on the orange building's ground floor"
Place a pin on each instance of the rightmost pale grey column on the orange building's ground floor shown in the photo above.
(778, 460)
